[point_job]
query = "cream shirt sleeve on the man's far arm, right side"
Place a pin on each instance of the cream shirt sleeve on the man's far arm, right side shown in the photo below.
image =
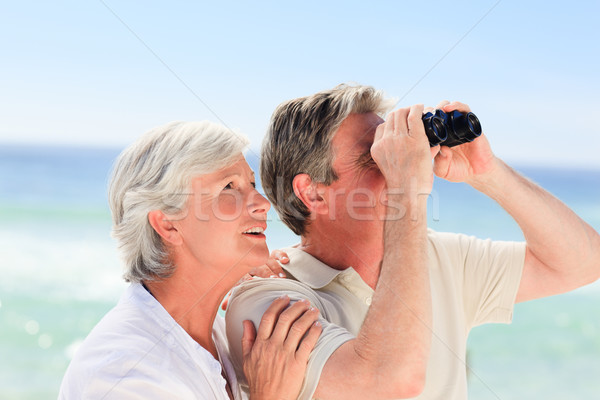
(490, 272)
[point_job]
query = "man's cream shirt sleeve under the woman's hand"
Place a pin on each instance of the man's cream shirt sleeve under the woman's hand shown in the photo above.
(250, 300)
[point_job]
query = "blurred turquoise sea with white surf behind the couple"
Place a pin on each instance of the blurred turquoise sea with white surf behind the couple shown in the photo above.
(60, 273)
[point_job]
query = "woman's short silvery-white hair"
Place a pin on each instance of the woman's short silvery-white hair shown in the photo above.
(155, 173)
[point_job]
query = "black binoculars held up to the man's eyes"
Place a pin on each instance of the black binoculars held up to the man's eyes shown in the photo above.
(451, 129)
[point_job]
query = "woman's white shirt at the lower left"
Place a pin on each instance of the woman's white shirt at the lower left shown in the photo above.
(138, 351)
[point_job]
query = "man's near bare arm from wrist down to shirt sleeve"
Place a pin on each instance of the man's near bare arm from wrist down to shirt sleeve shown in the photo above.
(388, 359)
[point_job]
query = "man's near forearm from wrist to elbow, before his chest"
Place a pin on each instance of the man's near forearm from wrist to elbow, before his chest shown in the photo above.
(400, 316)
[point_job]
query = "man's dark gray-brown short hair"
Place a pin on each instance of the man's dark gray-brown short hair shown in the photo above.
(299, 139)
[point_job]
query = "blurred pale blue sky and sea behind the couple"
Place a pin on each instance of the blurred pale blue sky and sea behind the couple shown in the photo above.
(81, 80)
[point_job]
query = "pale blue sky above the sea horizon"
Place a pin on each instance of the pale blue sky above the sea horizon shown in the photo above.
(102, 72)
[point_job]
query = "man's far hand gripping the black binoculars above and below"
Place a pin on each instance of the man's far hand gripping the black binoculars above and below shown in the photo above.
(467, 161)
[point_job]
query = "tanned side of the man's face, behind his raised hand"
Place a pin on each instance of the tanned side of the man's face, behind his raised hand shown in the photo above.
(354, 200)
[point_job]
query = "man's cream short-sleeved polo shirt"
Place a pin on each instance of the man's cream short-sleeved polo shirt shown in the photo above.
(473, 282)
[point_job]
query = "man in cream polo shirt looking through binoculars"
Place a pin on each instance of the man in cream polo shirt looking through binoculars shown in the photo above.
(397, 300)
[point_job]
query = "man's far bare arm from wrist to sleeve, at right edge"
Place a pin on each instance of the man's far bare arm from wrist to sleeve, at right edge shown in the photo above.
(557, 239)
